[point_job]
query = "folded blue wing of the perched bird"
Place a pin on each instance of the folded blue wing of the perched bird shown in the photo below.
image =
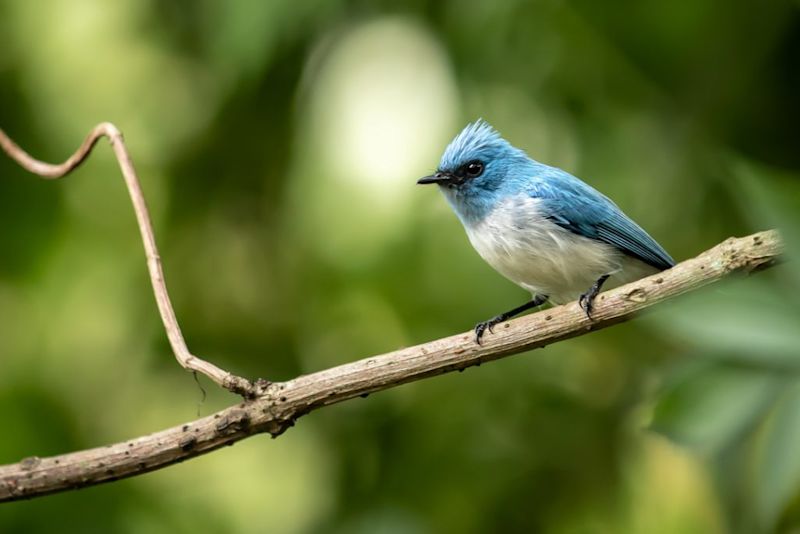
(576, 206)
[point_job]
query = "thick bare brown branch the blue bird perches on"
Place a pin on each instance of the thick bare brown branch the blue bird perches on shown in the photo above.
(280, 404)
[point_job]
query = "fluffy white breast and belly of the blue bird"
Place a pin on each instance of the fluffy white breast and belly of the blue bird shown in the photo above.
(544, 258)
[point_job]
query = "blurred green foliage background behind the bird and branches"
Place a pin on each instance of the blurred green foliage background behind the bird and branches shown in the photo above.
(278, 143)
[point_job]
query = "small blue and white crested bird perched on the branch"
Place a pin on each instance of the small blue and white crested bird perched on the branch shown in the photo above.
(539, 226)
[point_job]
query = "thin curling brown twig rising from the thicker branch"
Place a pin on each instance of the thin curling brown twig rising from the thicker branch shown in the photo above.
(187, 360)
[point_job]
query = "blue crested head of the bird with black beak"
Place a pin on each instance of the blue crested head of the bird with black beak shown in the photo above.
(477, 168)
